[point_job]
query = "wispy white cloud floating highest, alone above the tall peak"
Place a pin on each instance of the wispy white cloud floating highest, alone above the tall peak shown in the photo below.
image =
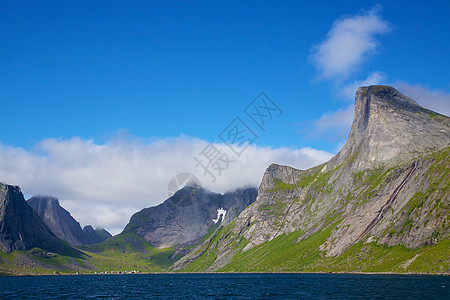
(348, 43)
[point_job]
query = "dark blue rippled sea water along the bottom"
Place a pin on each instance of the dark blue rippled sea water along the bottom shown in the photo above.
(227, 286)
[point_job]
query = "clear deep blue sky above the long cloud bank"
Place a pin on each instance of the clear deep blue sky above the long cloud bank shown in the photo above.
(91, 68)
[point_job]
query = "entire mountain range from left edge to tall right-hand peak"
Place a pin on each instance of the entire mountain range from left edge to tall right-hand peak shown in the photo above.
(380, 205)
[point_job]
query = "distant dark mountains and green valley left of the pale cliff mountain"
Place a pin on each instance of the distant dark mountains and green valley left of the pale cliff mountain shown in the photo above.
(39, 236)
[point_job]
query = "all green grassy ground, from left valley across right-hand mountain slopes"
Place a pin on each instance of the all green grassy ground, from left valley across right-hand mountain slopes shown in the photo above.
(285, 253)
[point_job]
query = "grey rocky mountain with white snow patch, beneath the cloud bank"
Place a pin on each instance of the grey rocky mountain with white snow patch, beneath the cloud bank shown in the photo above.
(186, 217)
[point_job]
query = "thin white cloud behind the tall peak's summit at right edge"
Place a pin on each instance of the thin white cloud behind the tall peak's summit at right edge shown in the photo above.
(436, 100)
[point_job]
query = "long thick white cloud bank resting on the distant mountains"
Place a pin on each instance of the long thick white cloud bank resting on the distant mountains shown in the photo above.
(104, 184)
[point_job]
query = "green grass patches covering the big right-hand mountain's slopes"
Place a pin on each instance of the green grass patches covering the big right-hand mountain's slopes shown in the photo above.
(286, 253)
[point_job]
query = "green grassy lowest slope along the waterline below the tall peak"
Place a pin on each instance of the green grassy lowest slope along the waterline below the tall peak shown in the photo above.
(285, 254)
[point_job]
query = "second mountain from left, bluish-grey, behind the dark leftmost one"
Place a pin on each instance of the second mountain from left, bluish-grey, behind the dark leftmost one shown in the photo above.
(63, 225)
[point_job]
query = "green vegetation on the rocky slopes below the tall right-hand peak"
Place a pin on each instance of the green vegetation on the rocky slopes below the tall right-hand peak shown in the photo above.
(294, 253)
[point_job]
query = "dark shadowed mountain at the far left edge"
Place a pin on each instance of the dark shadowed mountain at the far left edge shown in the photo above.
(22, 229)
